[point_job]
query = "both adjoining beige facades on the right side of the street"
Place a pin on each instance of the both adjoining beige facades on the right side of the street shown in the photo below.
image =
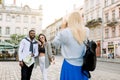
(103, 19)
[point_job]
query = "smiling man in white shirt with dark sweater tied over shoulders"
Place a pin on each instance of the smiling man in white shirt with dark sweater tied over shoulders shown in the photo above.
(28, 49)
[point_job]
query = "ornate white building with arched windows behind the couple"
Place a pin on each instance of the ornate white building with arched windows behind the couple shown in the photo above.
(19, 20)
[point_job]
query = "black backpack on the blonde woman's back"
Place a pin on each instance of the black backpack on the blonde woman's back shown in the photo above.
(89, 59)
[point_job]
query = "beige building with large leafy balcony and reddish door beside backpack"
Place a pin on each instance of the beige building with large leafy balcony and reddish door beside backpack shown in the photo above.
(93, 20)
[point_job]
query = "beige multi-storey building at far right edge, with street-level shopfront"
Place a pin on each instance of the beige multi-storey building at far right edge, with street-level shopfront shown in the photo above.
(112, 27)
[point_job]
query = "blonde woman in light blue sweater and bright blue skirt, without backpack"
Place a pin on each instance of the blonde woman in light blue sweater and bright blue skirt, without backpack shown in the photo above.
(72, 47)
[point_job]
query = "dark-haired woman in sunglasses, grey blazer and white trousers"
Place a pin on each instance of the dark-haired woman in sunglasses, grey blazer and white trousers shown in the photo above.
(45, 54)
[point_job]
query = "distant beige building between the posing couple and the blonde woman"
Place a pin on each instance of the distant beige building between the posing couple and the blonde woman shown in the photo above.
(52, 30)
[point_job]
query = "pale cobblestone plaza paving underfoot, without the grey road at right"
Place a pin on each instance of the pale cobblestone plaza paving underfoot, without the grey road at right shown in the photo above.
(11, 71)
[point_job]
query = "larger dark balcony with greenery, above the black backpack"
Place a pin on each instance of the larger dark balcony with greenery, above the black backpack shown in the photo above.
(94, 23)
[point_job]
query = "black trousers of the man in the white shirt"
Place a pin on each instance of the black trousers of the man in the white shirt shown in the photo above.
(26, 72)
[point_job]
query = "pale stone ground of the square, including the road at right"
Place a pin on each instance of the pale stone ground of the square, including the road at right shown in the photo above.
(104, 71)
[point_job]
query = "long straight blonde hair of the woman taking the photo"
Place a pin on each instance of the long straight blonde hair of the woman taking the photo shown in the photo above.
(75, 23)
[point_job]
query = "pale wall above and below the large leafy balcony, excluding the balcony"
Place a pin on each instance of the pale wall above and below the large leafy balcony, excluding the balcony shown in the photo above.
(93, 10)
